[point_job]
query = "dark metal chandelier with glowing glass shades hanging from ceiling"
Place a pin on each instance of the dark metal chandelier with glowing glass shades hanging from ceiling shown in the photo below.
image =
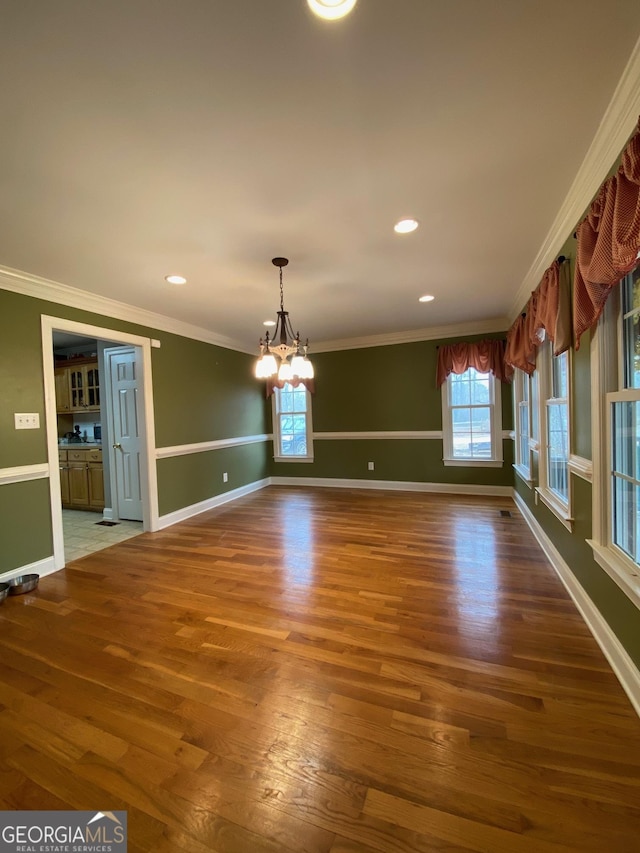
(285, 346)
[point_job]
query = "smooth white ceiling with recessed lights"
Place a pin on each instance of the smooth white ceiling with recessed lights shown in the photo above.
(146, 137)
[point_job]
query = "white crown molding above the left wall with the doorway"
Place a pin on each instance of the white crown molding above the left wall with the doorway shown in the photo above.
(62, 294)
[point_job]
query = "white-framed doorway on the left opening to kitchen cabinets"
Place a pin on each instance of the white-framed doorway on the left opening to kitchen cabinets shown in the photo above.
(91, 427)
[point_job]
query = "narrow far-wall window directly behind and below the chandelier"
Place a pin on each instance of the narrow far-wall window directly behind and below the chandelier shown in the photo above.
(293, 435)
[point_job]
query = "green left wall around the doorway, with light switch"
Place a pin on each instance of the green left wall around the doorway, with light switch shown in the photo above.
(201, 392)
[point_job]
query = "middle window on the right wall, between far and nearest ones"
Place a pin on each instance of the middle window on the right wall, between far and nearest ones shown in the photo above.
(554, 416)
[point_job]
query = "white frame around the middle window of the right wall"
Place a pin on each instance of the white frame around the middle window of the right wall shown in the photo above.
(560, 508)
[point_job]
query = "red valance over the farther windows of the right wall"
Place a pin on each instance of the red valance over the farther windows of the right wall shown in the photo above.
(546, 315)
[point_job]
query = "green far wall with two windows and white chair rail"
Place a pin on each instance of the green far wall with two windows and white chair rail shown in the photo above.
(388, 388)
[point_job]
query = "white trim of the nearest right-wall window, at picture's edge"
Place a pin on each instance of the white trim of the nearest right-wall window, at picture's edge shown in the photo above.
(606, 378)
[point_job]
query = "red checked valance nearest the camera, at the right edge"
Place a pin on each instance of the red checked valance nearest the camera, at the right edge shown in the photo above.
(608, 240)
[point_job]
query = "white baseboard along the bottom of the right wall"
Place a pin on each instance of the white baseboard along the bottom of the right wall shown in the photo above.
(623, 666)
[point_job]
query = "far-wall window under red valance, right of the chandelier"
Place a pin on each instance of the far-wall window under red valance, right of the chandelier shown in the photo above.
(472, 419)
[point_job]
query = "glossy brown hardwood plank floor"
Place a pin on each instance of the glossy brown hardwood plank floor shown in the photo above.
(321, 670)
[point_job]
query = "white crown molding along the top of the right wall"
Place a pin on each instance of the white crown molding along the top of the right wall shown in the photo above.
(616, 126)
